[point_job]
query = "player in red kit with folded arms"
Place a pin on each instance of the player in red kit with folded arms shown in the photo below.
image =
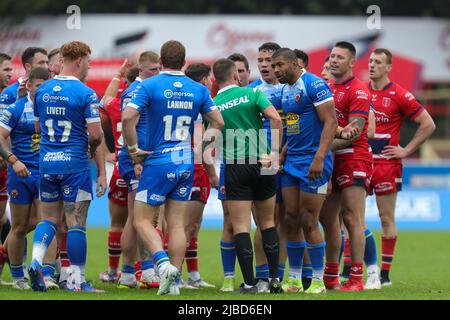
(352, 170)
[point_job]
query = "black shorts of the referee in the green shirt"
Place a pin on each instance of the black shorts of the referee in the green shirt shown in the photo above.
(244, 182)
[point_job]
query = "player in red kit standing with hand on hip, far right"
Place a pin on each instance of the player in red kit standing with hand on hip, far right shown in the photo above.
(392, 105)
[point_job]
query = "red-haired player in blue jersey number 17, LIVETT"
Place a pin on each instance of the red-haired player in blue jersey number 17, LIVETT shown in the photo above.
(67, 116)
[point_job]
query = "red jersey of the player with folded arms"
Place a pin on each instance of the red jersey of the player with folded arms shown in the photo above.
(352, 98)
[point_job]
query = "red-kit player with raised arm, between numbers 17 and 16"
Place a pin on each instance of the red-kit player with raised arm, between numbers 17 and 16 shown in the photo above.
(118, 190)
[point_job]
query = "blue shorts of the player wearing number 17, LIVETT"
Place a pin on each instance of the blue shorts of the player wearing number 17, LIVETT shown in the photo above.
(70, 187)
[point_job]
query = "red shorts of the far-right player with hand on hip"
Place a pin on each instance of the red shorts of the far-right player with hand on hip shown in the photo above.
(386, 178)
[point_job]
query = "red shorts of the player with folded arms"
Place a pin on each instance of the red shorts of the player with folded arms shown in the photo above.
(347, 173)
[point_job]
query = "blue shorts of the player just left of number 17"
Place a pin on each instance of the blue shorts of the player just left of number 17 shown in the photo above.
(23, 190)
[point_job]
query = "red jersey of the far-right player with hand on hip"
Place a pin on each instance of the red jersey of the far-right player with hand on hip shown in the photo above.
(392, 105)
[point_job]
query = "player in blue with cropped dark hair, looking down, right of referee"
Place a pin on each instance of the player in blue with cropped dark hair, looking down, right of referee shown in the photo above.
(311, 126)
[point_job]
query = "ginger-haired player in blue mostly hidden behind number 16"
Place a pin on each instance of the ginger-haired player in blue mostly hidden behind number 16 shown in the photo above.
(149, 66)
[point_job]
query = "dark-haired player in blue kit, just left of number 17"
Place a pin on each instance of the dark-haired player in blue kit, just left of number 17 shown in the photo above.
(17, 122)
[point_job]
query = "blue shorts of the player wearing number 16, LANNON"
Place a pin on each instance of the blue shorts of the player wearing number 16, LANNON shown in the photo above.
(165, 181)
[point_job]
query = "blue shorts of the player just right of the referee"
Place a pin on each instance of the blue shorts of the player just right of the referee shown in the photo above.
(296, 171)
